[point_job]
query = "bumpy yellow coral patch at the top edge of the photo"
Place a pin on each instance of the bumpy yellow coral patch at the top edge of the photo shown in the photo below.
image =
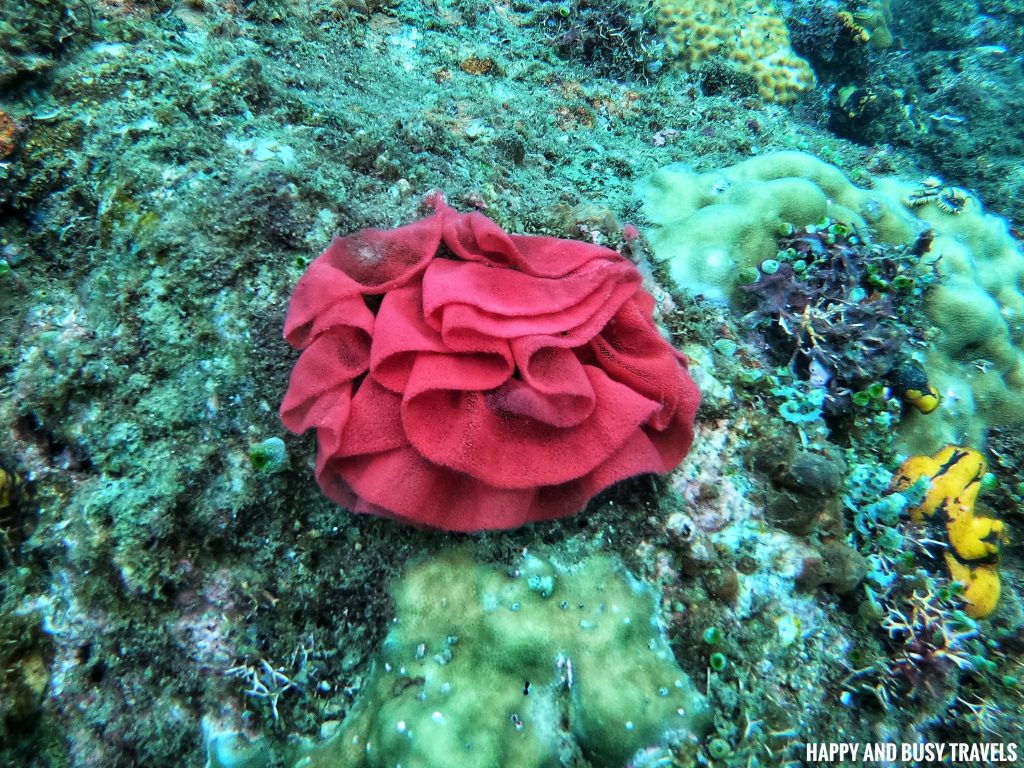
(751, 35)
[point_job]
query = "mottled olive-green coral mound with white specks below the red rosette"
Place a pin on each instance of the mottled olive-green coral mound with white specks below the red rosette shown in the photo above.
(483, 669)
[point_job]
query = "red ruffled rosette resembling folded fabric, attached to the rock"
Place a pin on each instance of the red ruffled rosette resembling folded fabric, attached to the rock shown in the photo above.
(501, 380)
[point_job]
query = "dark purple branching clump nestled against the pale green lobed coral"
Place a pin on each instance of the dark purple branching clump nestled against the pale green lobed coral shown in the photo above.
(842, 313)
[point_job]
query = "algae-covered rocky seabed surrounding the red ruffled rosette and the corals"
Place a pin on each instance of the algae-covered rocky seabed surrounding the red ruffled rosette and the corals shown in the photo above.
(173, 576)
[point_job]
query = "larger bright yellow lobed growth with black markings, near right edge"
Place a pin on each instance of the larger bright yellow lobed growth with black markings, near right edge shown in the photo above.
(973, 559)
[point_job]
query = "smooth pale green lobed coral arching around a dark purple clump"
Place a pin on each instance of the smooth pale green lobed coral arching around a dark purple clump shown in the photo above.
(714, 229)
